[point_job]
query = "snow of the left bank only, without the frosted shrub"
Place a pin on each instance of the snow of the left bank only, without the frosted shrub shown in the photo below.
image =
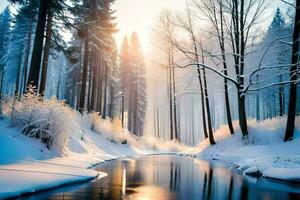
(27, 166)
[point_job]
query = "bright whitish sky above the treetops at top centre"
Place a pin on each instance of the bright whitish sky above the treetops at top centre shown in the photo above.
(139, 16)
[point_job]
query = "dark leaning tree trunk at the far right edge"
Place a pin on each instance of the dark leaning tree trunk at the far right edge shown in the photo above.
(290, 126)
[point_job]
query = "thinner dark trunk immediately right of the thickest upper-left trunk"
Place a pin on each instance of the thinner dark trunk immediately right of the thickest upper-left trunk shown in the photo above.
(46, 52)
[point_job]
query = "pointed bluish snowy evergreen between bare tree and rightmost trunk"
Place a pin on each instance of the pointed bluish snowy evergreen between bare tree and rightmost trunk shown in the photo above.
(276, 44)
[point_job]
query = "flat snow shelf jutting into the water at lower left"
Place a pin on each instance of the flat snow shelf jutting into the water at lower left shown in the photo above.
(28, 178)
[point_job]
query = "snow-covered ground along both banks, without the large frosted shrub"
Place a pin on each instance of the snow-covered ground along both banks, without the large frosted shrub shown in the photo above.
(27, 166)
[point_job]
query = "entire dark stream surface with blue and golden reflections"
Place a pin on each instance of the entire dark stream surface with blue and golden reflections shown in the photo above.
(171, 177)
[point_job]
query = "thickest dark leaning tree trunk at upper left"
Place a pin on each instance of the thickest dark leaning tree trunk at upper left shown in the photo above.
(36, 58)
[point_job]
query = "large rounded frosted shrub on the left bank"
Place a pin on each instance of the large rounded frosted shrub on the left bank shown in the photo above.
(49, 120)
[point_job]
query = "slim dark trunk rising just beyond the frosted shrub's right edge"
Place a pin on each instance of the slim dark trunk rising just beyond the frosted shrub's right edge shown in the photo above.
(84, 74)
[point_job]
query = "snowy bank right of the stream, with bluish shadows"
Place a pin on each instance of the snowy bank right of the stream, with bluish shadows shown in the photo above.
(265, 154)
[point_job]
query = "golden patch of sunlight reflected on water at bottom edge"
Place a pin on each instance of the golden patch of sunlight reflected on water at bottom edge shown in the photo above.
(150, 193)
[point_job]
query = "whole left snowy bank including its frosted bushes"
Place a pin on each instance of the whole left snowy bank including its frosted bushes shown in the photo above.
(27, 165)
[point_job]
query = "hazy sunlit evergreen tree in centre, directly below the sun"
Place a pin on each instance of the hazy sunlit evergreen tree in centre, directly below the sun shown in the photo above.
(133, 81)
